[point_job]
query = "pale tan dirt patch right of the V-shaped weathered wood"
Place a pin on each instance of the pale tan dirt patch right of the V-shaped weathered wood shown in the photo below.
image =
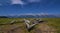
(44, 28)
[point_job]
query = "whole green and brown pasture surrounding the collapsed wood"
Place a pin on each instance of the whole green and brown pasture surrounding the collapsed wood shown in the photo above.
(52, 24)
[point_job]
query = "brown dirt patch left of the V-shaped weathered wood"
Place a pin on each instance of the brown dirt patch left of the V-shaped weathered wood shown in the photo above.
(15, 28)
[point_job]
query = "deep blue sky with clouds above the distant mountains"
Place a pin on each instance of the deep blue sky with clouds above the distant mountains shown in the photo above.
(17, 7)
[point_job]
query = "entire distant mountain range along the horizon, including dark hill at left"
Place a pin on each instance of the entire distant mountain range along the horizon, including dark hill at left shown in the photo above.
(31, 16)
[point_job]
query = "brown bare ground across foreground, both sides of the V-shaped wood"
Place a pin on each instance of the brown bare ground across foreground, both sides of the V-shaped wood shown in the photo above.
(20, 28)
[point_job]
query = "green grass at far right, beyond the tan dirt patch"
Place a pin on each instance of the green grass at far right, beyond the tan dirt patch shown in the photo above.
(54, 22)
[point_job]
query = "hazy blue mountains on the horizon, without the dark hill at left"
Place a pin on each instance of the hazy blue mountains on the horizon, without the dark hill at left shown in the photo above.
(36, 16)
